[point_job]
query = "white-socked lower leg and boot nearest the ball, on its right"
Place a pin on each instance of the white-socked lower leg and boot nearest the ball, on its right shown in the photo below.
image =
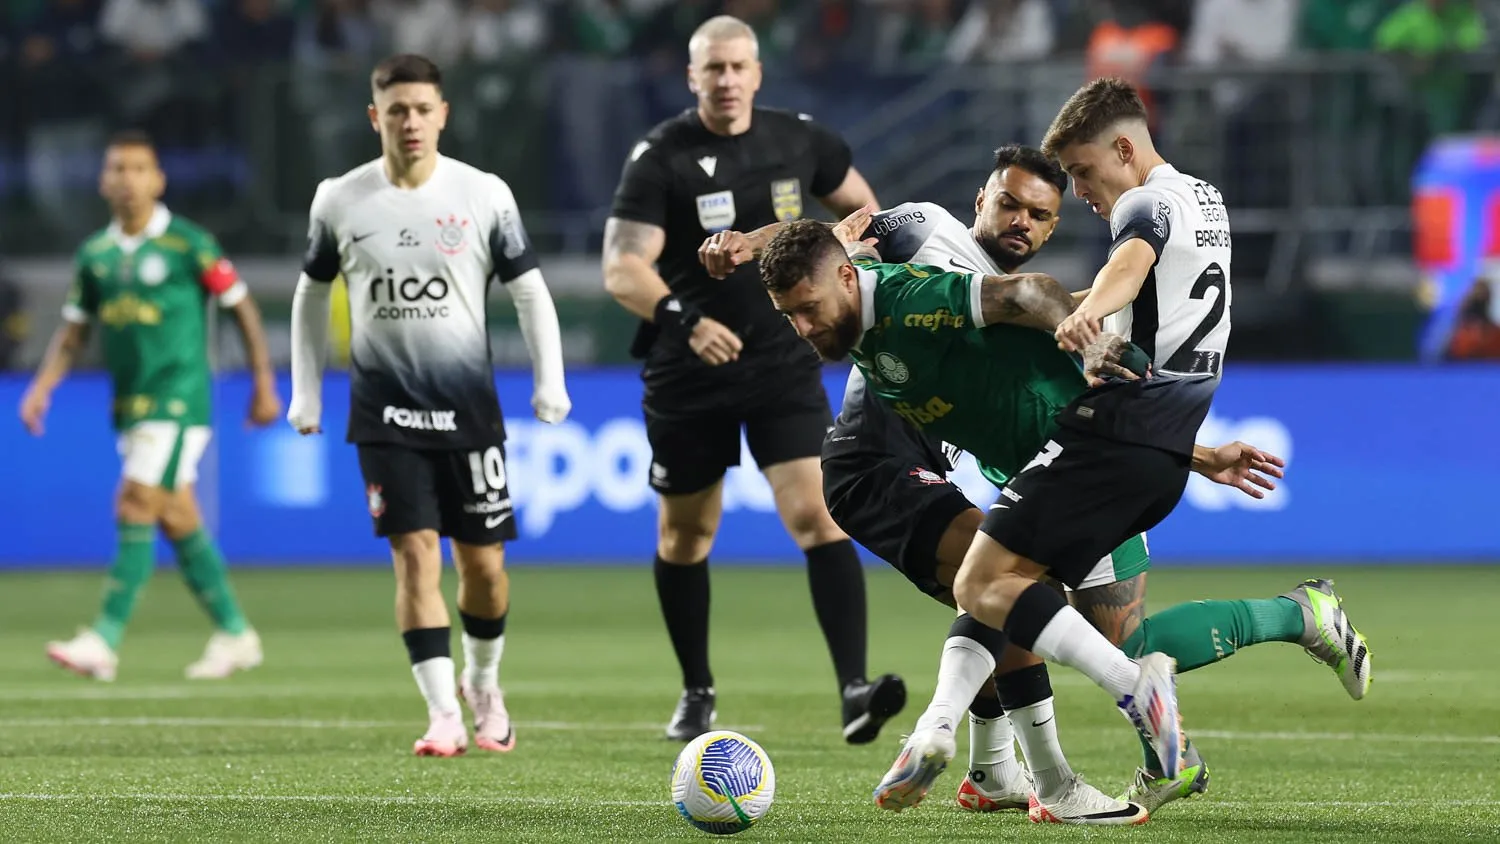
(967, 666)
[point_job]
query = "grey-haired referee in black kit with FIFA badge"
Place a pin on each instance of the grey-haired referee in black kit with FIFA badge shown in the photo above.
(721, 359)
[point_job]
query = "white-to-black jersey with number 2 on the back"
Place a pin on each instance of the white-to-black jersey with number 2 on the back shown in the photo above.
(1181, 319)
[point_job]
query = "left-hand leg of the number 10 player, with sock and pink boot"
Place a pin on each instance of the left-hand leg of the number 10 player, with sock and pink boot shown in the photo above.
(424, 621)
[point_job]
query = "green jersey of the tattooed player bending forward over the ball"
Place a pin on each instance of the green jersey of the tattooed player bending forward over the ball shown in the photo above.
(992, 391)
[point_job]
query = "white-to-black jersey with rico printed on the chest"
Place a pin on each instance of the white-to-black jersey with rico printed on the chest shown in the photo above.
(418, 265)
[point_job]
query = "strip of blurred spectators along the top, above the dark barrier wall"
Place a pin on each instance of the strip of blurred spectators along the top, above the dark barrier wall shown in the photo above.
(812, 34)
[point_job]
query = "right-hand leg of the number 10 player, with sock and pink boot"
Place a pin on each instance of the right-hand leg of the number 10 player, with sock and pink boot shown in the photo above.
(484, 603)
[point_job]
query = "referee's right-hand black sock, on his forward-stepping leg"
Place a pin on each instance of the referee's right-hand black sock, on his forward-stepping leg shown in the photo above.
(838, 585)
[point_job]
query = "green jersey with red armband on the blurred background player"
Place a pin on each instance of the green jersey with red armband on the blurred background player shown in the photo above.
(149, 295)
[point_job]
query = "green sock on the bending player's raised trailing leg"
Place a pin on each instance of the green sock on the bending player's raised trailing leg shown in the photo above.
(1202, 633)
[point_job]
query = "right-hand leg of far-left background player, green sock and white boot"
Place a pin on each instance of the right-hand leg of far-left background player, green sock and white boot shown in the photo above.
(235, 647)
